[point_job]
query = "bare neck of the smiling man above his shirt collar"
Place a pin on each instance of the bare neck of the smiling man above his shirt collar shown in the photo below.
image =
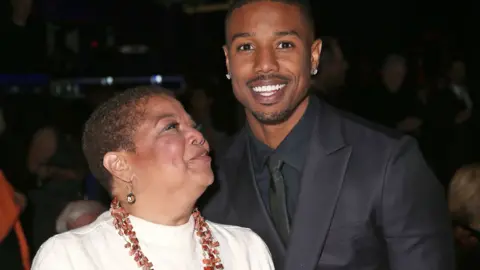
(273, 135)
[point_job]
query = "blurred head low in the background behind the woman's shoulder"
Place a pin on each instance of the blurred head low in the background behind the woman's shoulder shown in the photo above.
(78, 214)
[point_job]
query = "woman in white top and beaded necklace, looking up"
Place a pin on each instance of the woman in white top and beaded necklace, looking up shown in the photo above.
(145, 150)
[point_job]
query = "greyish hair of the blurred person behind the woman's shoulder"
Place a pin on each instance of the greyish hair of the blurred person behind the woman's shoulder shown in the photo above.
(76, 209)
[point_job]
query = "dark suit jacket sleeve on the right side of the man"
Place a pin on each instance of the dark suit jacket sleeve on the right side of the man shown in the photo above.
(414, 216)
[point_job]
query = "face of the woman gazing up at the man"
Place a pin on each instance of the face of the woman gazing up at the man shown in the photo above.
(171, 158)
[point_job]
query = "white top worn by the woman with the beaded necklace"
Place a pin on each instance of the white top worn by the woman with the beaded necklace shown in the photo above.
(99, 246)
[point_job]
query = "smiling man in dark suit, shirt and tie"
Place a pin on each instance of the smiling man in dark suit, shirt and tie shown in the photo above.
(324, 190)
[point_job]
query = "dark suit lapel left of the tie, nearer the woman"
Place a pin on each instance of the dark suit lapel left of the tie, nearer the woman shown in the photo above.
(249, 207)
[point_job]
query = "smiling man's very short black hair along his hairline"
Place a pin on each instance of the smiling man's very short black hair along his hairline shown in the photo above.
(304, 6)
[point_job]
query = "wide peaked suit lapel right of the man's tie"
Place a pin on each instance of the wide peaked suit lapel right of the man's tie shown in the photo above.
(321, 184)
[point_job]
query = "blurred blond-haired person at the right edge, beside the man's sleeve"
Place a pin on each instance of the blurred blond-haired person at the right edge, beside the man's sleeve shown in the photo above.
(464, 205)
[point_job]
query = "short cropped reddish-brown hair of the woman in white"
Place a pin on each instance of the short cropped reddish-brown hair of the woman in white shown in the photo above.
(112, 125)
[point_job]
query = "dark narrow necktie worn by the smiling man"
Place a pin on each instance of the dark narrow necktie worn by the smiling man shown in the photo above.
(277, 198)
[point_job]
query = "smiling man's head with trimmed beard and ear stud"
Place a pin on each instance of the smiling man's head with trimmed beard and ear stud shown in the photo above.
(270, 56)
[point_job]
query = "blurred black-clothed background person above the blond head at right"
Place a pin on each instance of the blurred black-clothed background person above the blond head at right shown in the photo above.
(451, 121)
